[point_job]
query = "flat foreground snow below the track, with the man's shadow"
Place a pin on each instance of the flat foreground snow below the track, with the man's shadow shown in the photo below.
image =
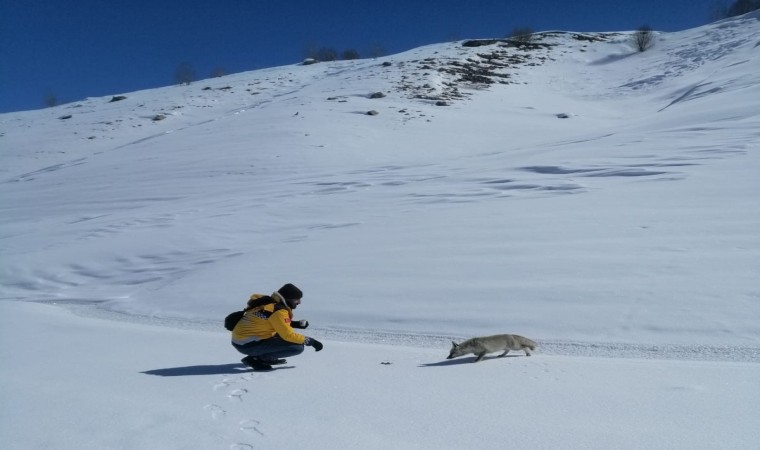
(96, 384)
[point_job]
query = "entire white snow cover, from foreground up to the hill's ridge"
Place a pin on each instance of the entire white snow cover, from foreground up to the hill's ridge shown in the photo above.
(623, 239)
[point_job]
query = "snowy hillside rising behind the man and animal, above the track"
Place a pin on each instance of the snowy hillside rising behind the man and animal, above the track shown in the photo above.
(278, 174)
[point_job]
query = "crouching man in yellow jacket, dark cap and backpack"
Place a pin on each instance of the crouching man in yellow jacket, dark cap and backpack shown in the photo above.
(265, 333)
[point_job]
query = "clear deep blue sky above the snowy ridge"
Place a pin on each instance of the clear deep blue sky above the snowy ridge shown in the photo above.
(85, 48)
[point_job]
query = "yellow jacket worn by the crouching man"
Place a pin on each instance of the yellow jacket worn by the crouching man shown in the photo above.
(265, 322)
